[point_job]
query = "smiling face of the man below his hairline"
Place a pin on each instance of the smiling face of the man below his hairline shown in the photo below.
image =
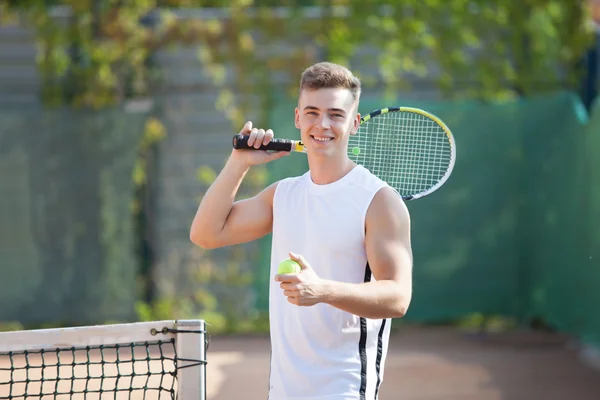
(326, 117)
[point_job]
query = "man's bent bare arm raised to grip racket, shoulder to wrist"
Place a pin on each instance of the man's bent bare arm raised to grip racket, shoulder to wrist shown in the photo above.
(219, 221)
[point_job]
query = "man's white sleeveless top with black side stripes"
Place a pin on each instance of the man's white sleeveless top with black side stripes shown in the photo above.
(322, 352)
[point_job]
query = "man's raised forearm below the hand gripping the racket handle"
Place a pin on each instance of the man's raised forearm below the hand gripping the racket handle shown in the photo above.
(217, 202)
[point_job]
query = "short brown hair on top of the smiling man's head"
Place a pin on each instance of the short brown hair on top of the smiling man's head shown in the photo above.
(329, 75)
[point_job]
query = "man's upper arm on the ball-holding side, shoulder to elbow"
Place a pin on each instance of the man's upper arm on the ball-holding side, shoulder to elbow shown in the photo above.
(388, 241)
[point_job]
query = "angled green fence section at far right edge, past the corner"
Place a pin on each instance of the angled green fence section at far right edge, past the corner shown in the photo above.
(561, 229)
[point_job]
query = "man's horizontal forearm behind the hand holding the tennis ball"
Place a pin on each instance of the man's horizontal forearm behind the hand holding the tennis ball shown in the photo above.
(375, 300)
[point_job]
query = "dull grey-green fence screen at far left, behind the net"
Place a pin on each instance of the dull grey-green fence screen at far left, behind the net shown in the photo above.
(67, 254)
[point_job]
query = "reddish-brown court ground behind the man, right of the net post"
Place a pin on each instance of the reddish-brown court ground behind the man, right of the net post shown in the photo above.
(431, 364)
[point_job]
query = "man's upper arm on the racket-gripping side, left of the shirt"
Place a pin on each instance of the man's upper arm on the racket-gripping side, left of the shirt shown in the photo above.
(251, 218)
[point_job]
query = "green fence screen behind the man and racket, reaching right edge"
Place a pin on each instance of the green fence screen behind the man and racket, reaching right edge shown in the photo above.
(515, 231)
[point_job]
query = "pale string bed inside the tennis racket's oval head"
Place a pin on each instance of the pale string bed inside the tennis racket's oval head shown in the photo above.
(409, 151)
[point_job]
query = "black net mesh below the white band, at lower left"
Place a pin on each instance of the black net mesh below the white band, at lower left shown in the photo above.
(138, 370)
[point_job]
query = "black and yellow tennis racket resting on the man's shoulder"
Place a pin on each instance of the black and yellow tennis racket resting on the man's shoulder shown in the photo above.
(412, 150)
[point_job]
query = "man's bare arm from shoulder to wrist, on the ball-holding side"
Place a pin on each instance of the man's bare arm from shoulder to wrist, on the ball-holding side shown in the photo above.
(390, 259)
